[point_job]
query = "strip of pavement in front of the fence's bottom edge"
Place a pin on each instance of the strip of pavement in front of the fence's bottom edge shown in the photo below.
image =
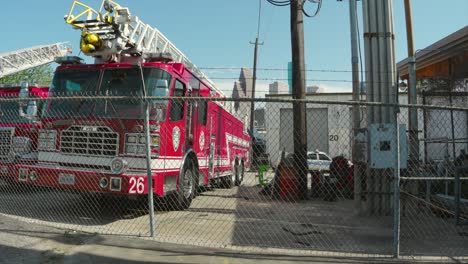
(22, 242)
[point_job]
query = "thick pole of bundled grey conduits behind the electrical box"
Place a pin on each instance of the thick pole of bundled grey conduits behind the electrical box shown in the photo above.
(381, 80)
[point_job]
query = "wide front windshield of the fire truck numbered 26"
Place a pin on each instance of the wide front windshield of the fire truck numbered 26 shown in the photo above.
(115, 82)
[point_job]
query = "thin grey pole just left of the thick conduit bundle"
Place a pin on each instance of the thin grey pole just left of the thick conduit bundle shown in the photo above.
(357, 152)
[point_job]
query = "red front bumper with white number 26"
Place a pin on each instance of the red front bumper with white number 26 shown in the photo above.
(128, 183)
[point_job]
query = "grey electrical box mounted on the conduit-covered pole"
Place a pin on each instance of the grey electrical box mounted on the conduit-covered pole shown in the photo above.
(383, 146)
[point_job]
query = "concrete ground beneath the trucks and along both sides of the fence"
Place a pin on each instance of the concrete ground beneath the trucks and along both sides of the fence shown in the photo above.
(50, 227)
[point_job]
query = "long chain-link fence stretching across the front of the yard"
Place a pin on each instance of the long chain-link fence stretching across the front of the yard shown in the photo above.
(81, 162)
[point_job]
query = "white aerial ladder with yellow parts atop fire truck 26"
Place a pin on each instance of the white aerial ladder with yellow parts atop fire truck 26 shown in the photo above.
(123, 33)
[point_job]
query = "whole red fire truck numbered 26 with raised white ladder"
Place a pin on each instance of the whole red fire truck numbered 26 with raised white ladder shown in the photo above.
(99, 145)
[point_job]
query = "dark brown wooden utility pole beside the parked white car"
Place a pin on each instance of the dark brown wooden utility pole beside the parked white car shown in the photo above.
(299, 107)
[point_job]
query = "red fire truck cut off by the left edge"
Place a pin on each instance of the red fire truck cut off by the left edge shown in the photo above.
(19, 124)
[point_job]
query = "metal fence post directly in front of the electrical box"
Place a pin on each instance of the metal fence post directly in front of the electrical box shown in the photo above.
(396, 206)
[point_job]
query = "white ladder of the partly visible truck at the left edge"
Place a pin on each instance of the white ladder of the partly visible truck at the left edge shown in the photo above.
(20, 60)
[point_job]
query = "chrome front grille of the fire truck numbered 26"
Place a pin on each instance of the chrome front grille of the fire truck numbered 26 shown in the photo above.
(89, 140)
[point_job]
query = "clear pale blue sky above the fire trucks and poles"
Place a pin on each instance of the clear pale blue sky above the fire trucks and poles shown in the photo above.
(216, 33)
